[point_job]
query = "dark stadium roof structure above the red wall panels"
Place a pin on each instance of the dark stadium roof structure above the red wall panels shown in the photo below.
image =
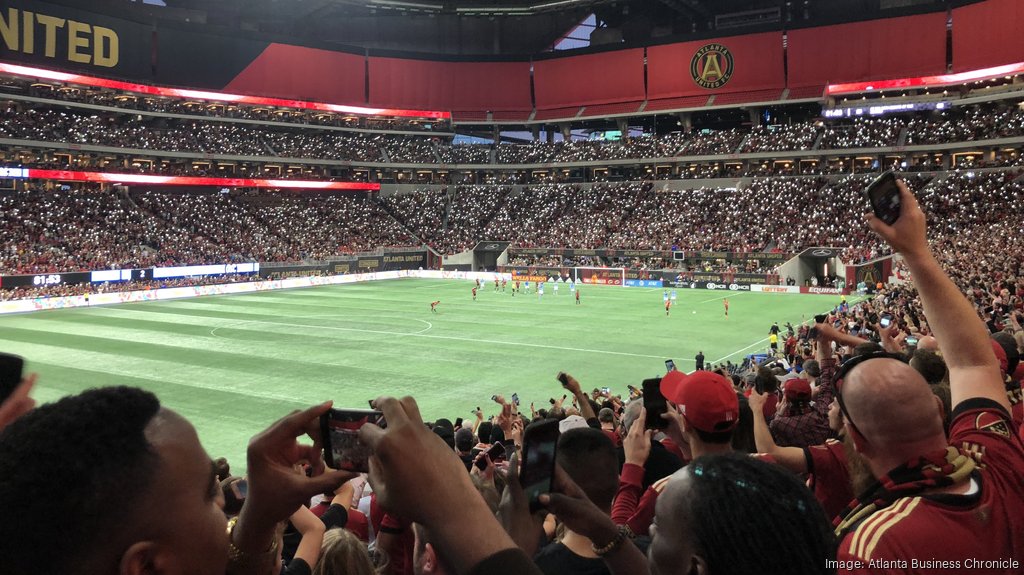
(507, 28)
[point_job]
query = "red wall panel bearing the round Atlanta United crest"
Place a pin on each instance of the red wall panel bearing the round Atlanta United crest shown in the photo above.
(757, 65)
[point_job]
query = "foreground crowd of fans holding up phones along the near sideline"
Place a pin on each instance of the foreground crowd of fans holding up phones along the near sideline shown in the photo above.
(906, 438)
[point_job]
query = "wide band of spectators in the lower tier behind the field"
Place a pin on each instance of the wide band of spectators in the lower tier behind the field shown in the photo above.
(66, 231)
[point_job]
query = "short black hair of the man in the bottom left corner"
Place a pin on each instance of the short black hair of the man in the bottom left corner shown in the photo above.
(73, 470)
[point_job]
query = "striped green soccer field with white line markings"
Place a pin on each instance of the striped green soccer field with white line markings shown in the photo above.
(232, 365)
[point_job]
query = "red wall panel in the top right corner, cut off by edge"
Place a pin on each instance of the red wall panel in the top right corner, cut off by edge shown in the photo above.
(989, 34)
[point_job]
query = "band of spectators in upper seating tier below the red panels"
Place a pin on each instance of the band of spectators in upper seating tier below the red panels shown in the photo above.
(219, 138)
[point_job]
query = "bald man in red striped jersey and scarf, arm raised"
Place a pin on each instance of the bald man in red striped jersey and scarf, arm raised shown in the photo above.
(938, 504)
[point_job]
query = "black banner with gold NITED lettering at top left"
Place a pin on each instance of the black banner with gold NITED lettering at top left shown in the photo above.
(59, 37)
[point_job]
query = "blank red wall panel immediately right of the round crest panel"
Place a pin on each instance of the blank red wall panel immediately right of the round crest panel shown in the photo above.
(882, 50)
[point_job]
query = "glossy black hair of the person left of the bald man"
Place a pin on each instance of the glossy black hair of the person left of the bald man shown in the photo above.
(735, 539)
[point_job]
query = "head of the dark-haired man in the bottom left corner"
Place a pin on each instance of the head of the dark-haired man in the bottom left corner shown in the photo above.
(119, 485)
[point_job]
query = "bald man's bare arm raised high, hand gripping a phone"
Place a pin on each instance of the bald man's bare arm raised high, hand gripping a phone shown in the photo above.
(963, 338)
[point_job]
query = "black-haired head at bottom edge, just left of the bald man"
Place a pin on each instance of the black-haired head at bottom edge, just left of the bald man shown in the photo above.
(732, 515)
